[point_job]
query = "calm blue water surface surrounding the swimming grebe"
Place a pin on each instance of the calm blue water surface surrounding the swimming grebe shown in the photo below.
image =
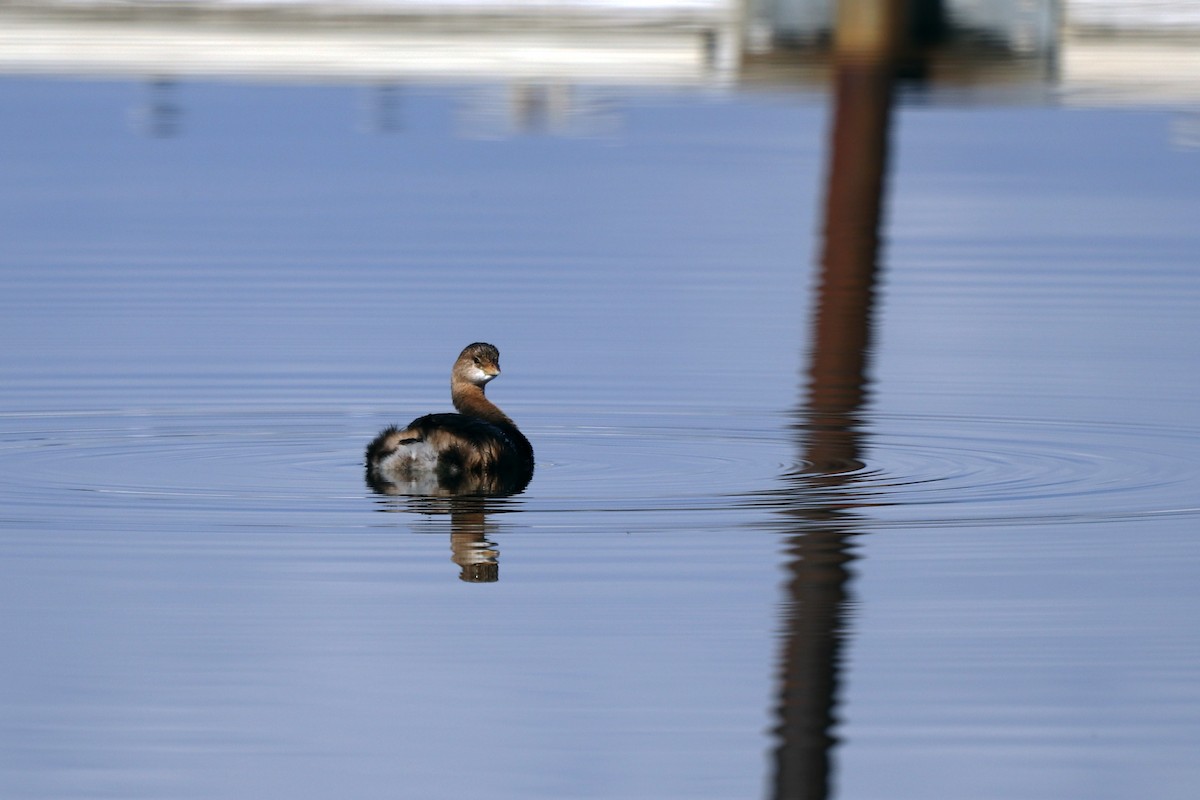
(202, 599)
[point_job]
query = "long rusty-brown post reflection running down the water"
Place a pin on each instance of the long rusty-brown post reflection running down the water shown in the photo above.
(818, 497)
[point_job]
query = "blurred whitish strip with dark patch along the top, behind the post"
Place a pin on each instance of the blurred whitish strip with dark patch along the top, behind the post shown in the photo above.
(1090, 51)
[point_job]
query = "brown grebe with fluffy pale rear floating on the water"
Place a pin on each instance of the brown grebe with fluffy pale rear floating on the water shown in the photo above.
(477, 452)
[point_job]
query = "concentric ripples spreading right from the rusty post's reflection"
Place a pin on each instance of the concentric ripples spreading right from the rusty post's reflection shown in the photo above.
(938, 471)
